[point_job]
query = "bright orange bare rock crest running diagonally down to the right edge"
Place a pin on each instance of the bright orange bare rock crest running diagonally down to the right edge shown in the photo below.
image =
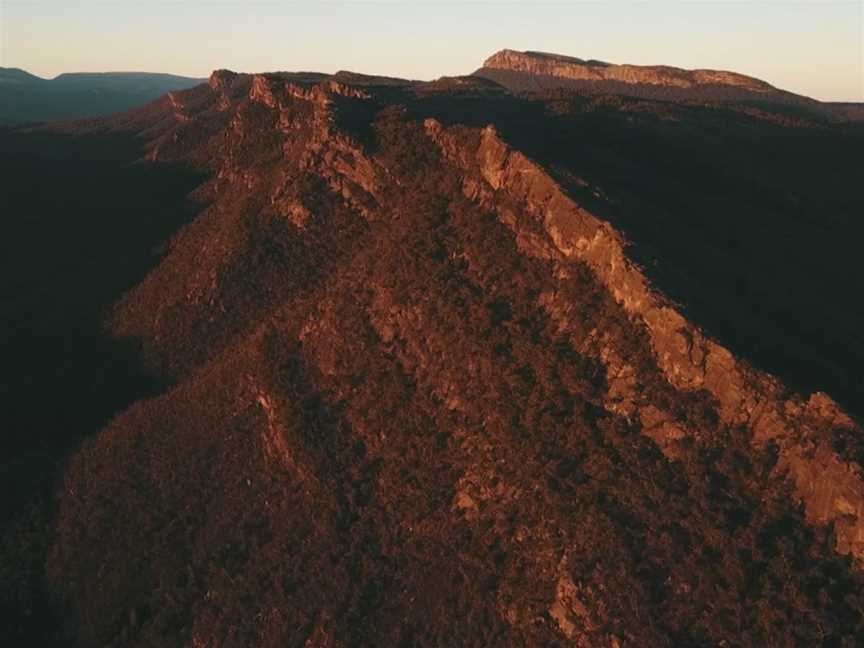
(688, 360)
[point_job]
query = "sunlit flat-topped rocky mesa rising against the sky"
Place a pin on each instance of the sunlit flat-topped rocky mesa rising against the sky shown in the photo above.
(568, 67)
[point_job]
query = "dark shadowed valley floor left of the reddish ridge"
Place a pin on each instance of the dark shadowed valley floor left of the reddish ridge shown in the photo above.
(82, 223)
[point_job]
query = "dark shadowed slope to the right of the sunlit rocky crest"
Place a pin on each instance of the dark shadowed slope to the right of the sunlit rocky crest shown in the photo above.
(754, 227)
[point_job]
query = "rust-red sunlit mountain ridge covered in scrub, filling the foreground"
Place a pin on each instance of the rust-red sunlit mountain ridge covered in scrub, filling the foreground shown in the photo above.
(421, 390)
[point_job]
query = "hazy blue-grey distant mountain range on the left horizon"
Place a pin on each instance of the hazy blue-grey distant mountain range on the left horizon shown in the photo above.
(25, 97)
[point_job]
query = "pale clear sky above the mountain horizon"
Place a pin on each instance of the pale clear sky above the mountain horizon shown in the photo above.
(812, 47)
